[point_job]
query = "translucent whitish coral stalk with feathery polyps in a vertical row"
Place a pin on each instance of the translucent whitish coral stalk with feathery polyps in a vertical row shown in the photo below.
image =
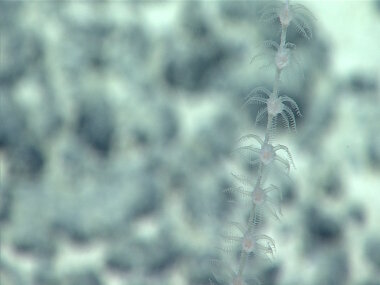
(264, 197)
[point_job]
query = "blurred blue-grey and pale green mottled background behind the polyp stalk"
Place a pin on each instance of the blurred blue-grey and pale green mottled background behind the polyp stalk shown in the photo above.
(117, 122)
